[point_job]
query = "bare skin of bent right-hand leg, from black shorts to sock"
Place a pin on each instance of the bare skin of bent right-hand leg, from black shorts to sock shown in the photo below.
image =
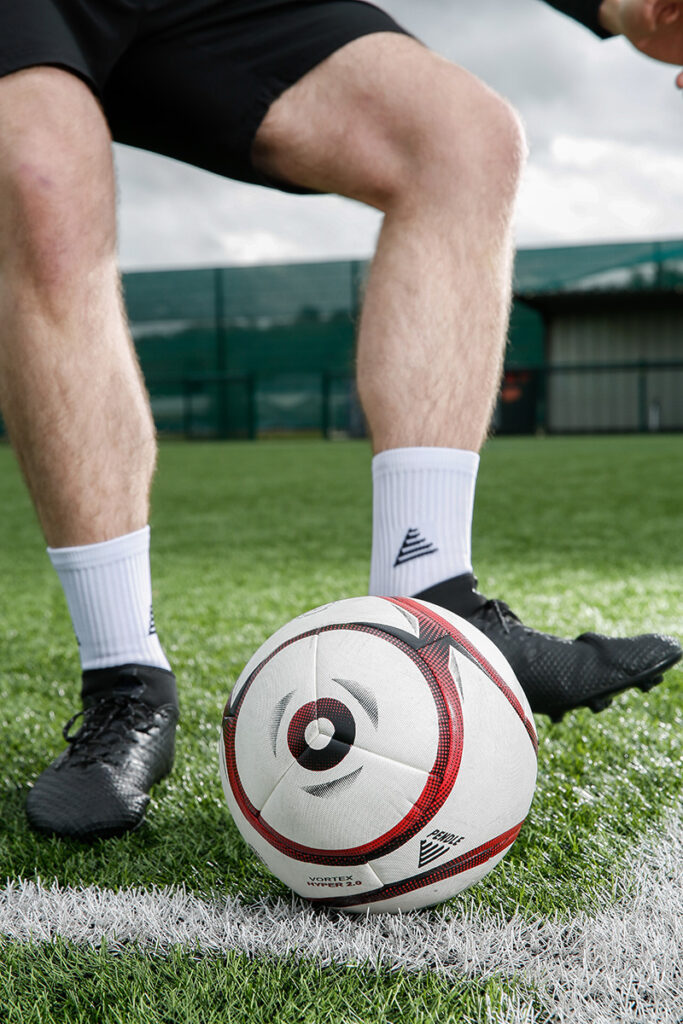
(389, 123)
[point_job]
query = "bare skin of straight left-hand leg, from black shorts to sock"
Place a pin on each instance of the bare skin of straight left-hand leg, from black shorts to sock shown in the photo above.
(71, 392)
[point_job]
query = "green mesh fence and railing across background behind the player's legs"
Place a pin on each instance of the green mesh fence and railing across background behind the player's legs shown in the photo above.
(244, 353)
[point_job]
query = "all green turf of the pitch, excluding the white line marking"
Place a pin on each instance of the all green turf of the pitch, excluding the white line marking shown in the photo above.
(576, 534)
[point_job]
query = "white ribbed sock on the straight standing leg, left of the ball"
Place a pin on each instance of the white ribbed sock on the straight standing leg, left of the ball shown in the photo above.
(109, 592)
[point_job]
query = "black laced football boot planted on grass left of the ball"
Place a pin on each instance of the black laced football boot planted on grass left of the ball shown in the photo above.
(100, 786)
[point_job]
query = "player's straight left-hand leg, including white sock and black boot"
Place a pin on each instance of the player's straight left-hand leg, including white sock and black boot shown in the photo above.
(79, 420)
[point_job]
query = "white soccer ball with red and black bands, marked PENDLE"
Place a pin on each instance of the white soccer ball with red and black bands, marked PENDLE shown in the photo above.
(378, 754)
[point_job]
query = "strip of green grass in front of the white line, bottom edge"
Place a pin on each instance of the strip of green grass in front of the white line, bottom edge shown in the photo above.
(37, 988)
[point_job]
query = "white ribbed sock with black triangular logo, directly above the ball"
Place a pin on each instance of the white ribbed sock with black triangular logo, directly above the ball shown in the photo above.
(423, 500)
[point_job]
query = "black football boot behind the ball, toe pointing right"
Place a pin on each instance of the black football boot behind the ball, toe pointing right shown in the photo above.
(559, 675)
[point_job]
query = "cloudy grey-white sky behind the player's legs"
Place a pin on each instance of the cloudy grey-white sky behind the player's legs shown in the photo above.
(605, 124)
